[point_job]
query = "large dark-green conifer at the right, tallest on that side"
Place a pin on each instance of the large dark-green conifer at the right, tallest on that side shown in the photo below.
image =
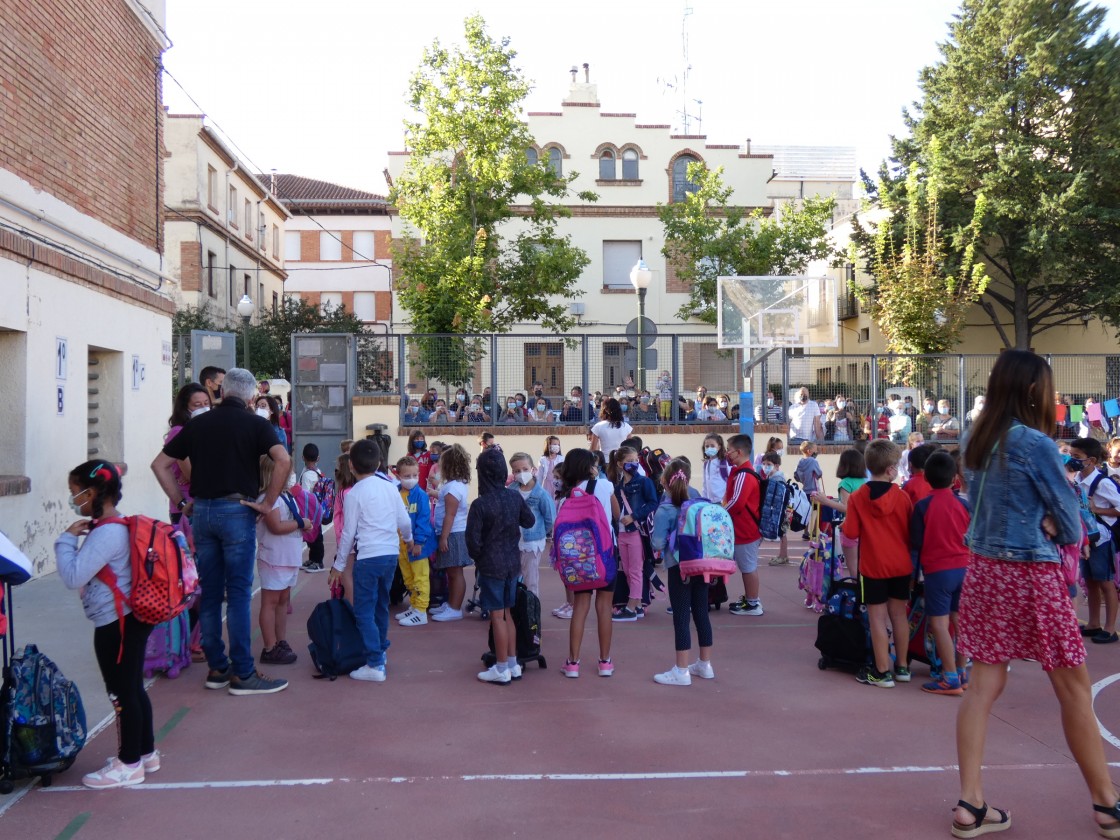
(1020, 127)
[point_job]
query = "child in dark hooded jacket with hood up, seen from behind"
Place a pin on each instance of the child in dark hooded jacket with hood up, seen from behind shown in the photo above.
(494, 525)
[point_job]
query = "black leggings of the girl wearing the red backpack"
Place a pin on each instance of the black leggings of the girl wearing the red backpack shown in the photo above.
(125, 685)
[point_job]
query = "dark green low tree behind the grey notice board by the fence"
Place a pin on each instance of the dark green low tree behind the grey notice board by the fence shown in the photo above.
(270, 341)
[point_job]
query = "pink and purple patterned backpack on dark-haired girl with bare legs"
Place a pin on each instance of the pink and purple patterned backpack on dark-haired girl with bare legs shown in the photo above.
(583, 547)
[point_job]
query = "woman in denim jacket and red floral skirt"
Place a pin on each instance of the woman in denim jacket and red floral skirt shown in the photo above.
(1015, 604)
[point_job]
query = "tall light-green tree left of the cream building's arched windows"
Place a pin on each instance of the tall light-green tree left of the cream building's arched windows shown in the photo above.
(484, 253)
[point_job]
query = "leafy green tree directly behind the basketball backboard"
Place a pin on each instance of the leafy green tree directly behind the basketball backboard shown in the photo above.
(707, 238)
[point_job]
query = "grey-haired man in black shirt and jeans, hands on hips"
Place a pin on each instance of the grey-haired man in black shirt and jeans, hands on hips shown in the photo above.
(225, 447)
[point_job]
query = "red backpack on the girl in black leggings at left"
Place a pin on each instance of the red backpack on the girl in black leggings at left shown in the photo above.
(164, 575)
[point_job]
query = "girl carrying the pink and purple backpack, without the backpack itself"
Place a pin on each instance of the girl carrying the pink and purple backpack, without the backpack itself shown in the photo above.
(580, 473)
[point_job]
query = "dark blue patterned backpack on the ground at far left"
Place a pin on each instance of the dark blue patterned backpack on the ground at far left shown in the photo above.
(44, 721)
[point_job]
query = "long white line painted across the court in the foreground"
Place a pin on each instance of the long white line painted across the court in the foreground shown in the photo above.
(570, 778)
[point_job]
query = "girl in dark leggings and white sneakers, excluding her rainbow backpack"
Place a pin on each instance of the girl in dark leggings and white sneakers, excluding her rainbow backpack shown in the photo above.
(687, 596)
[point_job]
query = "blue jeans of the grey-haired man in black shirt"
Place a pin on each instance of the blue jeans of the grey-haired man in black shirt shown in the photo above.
(226, 548)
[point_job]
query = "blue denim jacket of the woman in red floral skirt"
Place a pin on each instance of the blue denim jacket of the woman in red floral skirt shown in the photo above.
(1024, 481)
